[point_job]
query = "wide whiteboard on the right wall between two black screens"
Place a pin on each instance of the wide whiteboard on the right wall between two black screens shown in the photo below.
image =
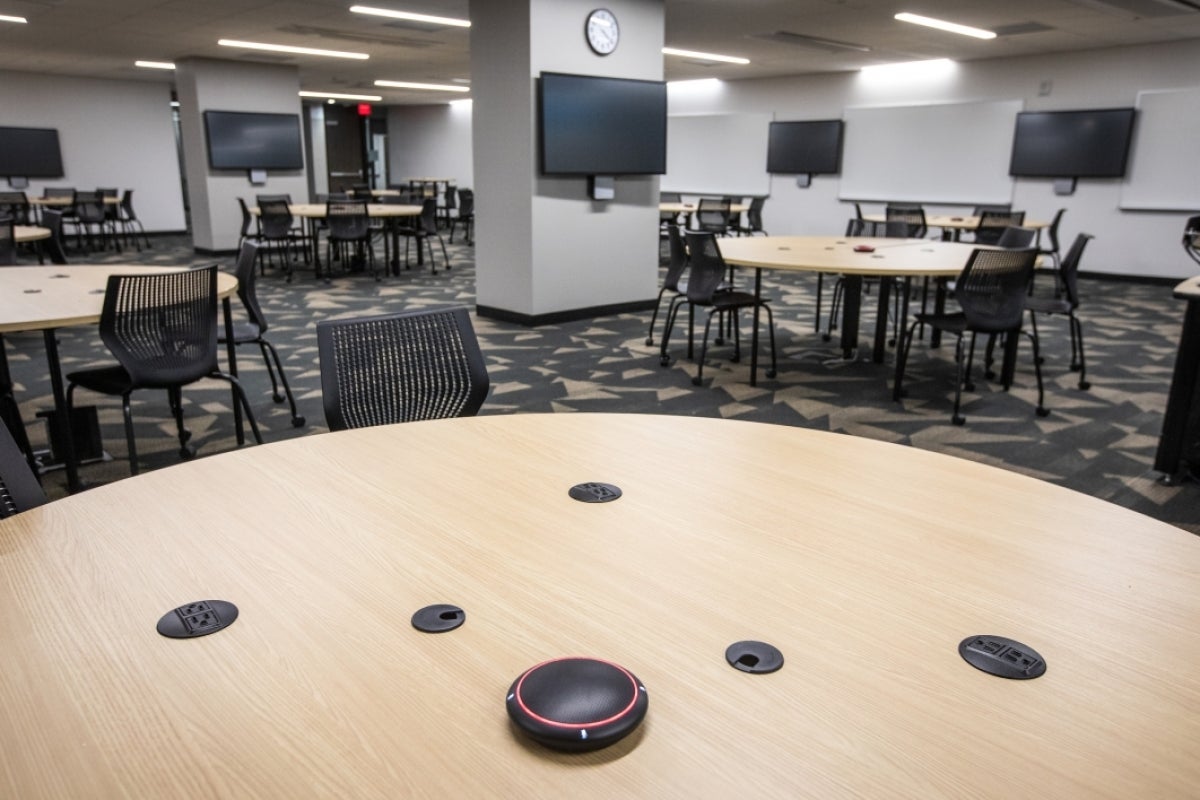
(945, 153)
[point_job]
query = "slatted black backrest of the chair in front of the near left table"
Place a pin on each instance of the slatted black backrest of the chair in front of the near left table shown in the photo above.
(163, 328)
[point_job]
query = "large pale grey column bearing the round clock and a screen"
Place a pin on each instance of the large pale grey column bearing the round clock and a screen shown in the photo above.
(545, 251)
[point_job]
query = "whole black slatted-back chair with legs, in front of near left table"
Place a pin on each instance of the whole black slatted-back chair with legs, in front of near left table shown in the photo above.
(163, 329)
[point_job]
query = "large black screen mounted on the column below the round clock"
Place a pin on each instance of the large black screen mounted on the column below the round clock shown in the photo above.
(602, 127)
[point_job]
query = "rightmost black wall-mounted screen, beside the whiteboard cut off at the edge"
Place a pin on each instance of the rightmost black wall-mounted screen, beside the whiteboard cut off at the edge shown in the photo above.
(1072, 145)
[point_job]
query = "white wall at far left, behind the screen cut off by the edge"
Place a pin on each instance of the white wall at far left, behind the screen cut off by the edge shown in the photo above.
(113, 134)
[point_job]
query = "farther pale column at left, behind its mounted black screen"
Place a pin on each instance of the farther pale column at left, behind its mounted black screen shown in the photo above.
(211, 85)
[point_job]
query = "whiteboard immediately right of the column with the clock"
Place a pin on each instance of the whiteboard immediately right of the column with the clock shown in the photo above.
(717, 154)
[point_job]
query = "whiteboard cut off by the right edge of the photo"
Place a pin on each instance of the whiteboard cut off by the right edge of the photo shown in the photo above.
(1165, 163)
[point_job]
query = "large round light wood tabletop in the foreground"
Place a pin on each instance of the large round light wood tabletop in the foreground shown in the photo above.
(865, 563)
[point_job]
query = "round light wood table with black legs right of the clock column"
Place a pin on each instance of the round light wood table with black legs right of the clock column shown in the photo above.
(892, 258)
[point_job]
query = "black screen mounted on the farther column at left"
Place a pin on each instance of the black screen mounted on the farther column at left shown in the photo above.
(250, 141)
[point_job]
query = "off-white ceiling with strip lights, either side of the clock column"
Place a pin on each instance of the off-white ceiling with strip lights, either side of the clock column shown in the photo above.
(103, 38)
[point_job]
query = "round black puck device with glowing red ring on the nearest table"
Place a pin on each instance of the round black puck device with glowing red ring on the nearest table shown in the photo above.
(578, 705)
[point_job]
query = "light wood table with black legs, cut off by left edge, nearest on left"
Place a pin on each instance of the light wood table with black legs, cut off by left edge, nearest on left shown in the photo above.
(53, 297)
